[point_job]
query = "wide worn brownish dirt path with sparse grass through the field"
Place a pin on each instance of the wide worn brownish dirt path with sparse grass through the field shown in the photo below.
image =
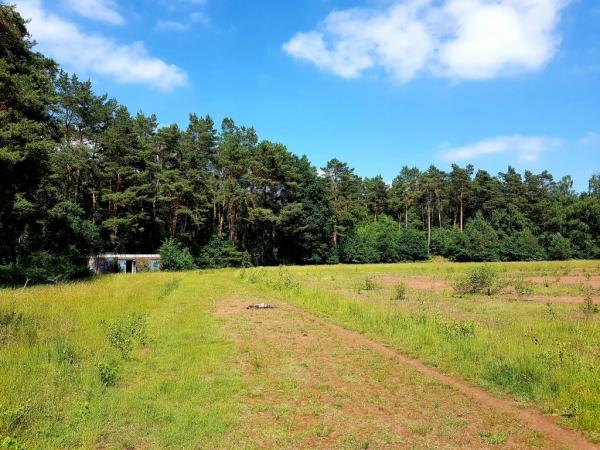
(312, 384)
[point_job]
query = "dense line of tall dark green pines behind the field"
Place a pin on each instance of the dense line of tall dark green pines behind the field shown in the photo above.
(80, 174)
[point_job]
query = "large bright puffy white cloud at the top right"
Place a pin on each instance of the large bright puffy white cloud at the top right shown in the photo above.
(459, 39)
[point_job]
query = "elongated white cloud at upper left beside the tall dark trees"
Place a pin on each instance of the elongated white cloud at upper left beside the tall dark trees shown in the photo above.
(83, 52)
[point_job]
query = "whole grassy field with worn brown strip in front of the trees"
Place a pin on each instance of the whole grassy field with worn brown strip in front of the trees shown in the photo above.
(175, 360)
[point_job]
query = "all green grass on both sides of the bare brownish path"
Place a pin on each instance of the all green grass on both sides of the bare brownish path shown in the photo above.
(125, 361)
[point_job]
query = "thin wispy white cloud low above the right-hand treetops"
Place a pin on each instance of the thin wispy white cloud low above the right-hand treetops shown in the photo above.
(525, 148)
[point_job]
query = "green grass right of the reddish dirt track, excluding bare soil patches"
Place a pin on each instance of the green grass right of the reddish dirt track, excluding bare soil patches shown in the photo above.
(546, 357)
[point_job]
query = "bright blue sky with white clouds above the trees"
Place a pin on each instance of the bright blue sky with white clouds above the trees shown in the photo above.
(376, 83)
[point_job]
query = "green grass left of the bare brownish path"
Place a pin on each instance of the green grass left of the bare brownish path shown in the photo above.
(175, 390)
